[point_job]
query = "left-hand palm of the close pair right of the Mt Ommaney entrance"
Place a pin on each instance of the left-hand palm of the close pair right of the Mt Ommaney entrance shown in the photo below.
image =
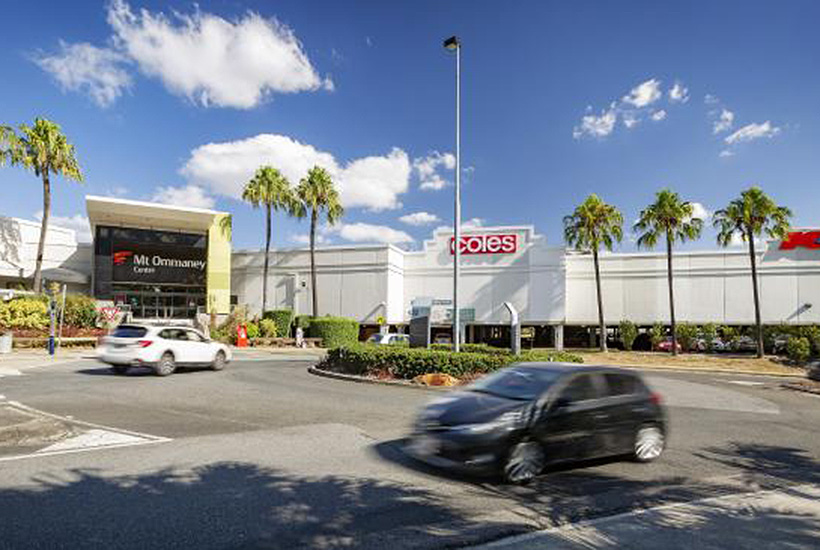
(270, 190)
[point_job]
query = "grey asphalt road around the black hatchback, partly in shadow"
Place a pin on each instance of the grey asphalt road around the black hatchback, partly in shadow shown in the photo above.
(265, 455)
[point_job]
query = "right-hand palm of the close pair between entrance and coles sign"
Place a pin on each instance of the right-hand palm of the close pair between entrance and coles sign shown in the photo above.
(317, 194)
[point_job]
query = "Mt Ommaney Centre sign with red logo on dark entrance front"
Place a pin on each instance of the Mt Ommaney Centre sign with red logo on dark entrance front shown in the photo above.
(154, 263)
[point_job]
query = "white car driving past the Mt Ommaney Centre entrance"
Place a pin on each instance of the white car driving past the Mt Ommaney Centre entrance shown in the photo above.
(162, 348)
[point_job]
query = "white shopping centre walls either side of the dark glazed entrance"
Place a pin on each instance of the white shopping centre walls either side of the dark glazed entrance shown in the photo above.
(550, 286)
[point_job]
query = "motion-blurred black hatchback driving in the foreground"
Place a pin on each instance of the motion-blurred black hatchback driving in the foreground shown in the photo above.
(521, 418)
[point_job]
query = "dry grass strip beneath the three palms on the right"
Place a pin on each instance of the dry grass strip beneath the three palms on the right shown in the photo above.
(690, 361)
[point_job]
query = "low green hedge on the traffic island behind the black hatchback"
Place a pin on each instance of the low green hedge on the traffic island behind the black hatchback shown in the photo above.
(408, 363)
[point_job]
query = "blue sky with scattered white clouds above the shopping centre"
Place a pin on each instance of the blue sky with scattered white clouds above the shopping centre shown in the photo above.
(180, 101)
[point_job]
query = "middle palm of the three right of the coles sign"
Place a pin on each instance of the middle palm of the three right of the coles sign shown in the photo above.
(668, 217)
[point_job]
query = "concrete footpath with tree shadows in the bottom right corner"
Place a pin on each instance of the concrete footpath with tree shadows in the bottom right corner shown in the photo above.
(783, 518)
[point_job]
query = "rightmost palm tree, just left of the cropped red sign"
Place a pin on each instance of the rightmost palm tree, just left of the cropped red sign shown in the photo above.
(748, 217)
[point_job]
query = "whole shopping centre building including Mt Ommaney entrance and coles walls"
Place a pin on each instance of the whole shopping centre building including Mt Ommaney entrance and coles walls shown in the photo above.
(160, 261)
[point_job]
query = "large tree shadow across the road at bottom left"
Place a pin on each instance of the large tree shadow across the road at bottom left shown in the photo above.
(227, 505)
